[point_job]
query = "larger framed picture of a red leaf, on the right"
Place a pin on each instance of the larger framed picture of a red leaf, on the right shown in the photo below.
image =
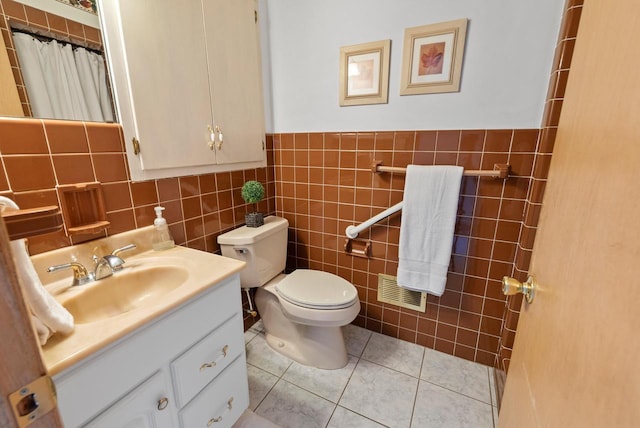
(432, 58)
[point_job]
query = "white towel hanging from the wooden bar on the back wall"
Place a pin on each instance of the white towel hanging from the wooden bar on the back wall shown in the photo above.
(429, 211)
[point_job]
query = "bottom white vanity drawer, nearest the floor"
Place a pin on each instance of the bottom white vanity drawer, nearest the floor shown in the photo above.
(222, 401)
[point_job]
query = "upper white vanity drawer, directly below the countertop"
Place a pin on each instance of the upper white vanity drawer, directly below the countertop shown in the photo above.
(205, 360)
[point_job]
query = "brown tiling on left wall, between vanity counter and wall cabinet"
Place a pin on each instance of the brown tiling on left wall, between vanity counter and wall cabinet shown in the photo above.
(38, 155)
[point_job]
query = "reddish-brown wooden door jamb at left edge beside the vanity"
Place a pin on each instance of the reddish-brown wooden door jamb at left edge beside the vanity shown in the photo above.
(20, 361)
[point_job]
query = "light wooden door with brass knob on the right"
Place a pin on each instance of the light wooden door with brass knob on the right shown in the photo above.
(577, 348)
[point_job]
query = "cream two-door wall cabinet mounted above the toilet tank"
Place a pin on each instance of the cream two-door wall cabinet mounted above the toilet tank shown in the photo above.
(187, 83)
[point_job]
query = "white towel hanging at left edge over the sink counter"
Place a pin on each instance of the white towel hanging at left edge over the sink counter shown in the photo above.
(48, 316)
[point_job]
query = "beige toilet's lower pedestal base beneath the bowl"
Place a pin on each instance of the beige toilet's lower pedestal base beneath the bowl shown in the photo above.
(316, 346)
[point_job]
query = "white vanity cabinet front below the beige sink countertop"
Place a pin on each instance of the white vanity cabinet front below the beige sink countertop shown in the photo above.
(185, 369)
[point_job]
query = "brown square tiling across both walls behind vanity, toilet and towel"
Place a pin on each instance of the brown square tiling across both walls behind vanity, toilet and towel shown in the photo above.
(324, 183)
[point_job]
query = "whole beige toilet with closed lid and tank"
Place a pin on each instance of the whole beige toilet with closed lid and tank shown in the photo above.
(303, 312)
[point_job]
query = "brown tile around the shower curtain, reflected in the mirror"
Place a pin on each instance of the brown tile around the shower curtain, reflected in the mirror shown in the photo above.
(13, 13)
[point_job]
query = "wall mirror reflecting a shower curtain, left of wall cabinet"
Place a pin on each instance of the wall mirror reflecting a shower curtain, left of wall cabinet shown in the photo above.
(75, 24)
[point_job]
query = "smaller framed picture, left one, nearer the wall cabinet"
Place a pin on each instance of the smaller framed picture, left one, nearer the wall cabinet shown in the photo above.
(364, 73)
